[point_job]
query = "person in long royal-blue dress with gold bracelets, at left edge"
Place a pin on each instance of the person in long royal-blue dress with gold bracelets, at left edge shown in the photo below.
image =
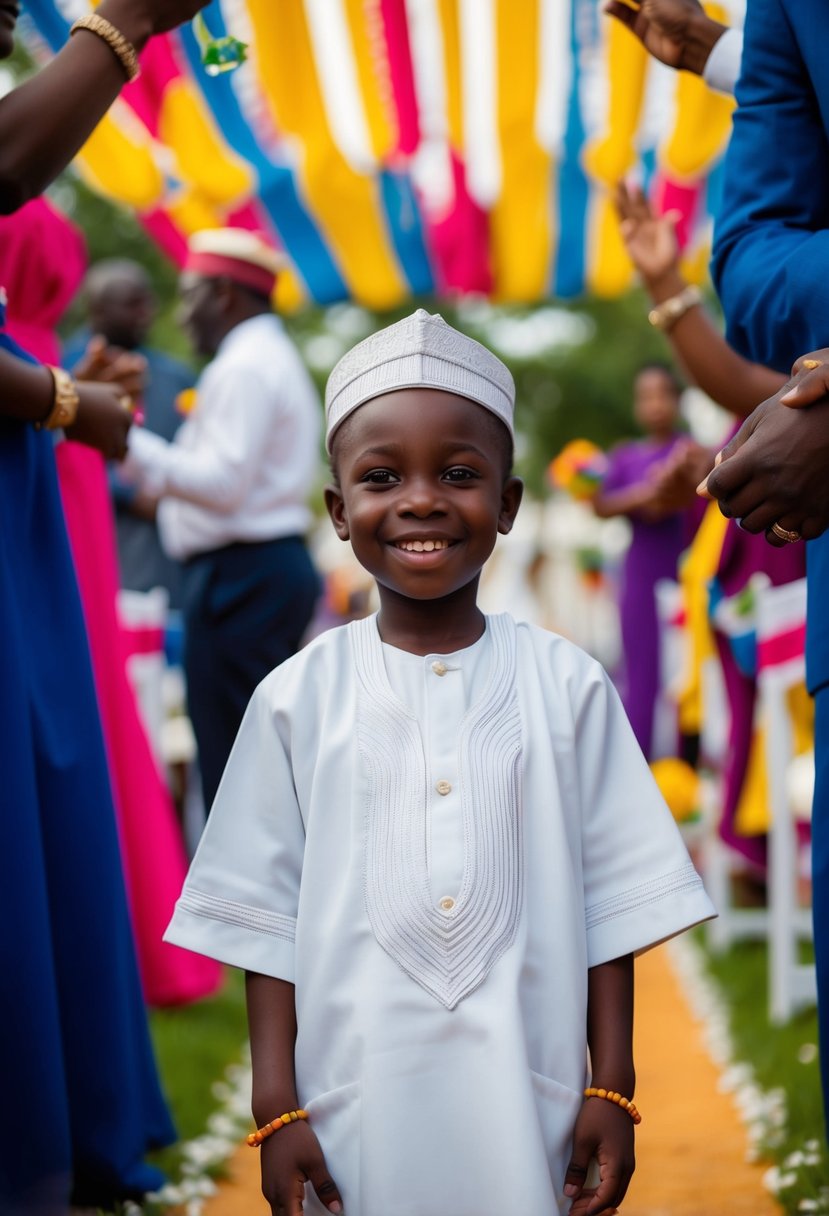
(83, 1102)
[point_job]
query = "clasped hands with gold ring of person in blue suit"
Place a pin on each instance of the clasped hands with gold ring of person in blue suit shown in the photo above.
(776, 469)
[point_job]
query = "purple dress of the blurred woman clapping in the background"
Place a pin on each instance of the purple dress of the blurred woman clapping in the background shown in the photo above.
(653, 555)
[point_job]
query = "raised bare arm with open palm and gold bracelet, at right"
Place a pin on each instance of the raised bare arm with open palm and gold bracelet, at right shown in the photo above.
(736, 384)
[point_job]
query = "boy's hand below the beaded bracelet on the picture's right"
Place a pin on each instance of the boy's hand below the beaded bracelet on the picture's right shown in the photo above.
(606, 1133)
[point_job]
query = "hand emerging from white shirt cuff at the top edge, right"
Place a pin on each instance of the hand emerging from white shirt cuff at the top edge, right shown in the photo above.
(675, 32)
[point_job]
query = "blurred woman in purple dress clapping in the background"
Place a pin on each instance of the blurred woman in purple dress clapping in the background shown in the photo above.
(659, 536)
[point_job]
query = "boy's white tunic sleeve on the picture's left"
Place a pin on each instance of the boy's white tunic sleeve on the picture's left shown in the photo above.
(241, 896)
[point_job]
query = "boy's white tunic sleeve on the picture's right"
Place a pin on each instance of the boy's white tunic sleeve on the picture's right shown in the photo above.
(640, 883)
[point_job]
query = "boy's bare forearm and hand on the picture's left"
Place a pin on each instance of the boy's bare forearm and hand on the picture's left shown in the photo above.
(292, 1156)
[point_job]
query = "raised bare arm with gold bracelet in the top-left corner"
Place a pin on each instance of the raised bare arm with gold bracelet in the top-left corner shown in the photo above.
(46, 121)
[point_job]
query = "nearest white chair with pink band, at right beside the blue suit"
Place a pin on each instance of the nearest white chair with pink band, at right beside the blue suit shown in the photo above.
(781, 668)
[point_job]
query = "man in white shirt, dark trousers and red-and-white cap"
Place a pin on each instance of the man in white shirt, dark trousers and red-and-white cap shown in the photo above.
(234, 487)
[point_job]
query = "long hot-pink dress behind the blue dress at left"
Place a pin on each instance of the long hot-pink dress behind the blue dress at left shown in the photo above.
(43, 262)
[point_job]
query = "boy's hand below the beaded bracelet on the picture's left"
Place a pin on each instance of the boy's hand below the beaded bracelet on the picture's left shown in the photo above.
(290, 1159)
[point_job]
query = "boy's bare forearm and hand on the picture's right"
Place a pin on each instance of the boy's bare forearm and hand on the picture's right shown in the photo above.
(604, 1130)
